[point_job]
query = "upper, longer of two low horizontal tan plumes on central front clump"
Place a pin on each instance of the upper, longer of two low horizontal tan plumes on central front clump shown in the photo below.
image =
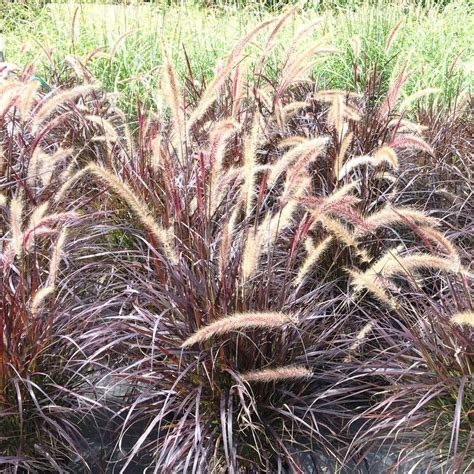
(238, 321)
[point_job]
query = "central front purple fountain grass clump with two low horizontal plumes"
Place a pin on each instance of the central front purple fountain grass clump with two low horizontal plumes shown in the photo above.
(213, 337)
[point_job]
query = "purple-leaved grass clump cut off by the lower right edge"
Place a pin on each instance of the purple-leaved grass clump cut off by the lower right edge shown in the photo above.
(425, 404)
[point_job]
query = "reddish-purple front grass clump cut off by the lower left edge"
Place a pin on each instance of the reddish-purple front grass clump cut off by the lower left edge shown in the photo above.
(39, 393)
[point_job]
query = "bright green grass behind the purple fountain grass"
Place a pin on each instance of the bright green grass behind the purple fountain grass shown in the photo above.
(434, 40)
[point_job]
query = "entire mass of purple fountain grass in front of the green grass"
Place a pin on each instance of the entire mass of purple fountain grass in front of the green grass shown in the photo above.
(260, 275)
